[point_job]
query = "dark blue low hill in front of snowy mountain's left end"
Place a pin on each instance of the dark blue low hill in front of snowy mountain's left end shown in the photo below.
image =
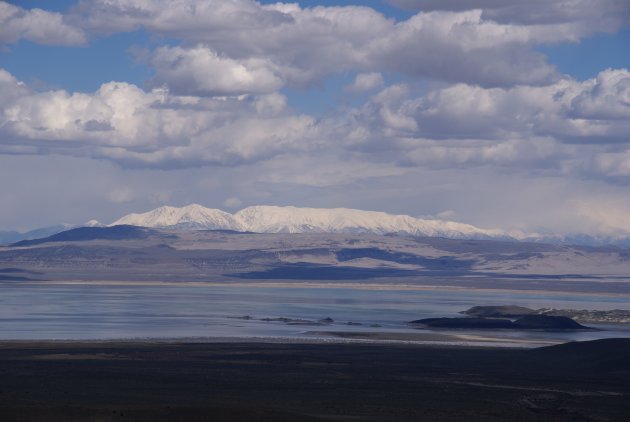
(80, 234)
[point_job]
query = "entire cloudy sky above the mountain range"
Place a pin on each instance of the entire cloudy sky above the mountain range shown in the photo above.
(498, 113)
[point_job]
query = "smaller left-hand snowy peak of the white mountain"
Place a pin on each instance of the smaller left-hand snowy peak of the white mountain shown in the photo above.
(191, 217)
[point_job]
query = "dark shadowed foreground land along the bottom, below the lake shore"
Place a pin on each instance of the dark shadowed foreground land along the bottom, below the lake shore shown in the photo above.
(312, 382)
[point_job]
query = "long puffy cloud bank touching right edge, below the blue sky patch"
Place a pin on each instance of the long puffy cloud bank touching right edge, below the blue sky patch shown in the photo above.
(567, 110)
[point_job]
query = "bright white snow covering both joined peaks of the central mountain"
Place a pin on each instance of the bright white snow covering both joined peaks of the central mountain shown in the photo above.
(273, 219)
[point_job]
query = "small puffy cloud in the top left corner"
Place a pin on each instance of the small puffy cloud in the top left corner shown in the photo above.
(36, 25)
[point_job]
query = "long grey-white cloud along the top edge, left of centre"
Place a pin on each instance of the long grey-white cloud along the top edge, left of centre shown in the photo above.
(306, 43)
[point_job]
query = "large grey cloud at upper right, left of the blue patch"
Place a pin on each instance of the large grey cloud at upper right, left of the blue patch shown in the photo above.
(463, 47)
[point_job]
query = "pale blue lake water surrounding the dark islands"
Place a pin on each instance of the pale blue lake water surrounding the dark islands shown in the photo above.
(85, 311)
